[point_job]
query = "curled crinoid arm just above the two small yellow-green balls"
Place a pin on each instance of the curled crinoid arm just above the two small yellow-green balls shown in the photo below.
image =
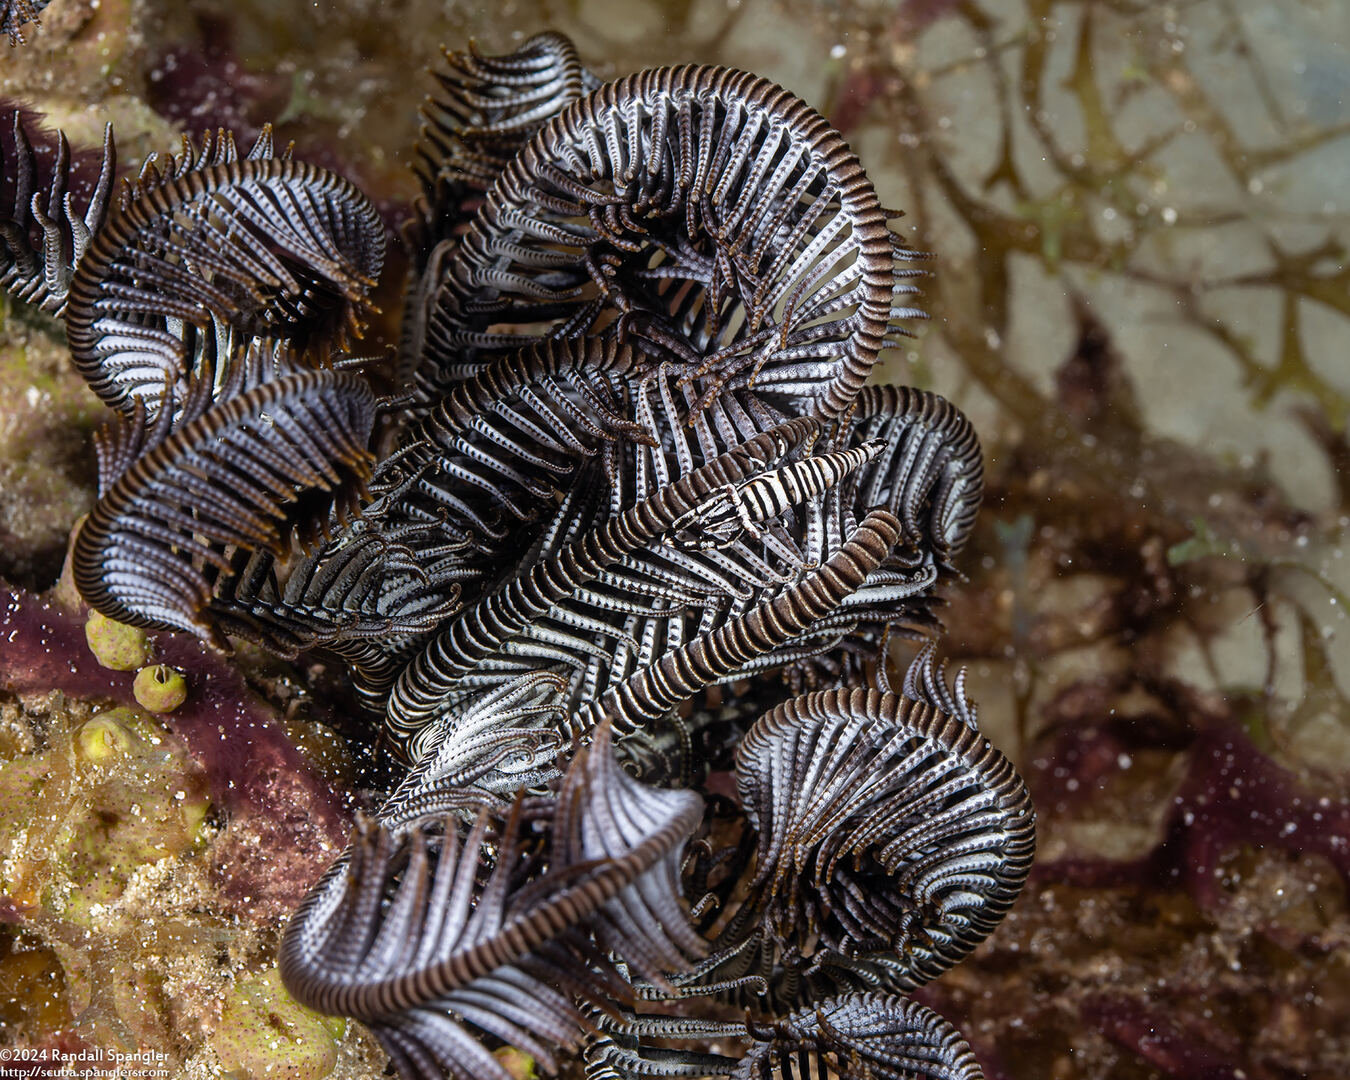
(244, 477)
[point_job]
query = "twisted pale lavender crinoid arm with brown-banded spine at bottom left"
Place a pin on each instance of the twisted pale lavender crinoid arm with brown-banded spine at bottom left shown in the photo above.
(452, 932)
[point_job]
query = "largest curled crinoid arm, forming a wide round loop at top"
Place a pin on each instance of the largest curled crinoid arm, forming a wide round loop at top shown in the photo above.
(718, 217)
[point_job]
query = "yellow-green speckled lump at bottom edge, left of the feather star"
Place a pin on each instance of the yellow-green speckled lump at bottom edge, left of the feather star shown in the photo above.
(267, 1033)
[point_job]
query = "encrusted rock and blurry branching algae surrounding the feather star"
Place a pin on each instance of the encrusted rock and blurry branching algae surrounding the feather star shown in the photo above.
(1139, 215)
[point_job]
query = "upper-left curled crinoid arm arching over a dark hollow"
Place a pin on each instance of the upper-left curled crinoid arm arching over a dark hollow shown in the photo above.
(213, 253)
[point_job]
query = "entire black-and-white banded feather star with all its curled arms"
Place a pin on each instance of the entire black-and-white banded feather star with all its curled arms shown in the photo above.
(619, 581)
